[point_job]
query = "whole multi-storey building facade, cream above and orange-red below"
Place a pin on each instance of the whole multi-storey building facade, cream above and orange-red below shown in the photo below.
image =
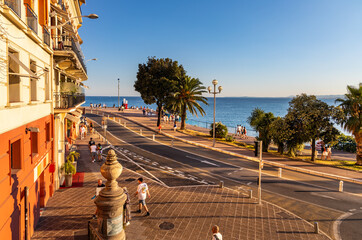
(40, 91)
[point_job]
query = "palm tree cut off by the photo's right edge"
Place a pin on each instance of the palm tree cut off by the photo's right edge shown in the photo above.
(351, 121)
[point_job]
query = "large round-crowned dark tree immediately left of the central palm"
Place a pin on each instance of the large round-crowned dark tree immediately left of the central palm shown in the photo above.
(157, 81)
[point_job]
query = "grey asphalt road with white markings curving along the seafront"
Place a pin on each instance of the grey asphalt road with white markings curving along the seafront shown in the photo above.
(312, 198)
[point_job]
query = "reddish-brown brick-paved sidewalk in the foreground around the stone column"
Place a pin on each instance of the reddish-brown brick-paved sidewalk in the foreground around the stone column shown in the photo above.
(188, 211)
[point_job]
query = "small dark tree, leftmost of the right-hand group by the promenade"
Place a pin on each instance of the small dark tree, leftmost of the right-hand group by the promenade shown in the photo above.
(261, 122)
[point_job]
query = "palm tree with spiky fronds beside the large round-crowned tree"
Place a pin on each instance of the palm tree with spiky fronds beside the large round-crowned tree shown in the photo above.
(187, 98)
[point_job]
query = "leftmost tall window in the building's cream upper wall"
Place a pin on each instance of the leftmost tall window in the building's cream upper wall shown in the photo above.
(14, 78)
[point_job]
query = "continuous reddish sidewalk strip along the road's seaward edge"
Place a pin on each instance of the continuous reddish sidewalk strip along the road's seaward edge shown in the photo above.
(150, 122)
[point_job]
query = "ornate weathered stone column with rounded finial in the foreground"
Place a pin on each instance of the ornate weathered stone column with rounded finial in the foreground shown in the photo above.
(110, 200)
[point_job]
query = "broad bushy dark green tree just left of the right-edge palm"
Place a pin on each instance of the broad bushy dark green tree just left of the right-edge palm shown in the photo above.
(310, 119)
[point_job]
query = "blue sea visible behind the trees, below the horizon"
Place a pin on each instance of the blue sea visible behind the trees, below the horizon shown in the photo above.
(231, 111)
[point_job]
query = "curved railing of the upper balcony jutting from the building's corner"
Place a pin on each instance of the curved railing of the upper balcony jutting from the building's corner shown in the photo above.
(69, 44)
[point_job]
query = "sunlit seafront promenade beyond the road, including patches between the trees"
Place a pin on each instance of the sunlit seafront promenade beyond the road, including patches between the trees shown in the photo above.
(167, 129)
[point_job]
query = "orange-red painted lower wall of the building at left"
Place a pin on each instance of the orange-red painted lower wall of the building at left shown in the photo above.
(12, 202)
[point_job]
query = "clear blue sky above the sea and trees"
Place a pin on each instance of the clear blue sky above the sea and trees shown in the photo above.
(258, 48)
